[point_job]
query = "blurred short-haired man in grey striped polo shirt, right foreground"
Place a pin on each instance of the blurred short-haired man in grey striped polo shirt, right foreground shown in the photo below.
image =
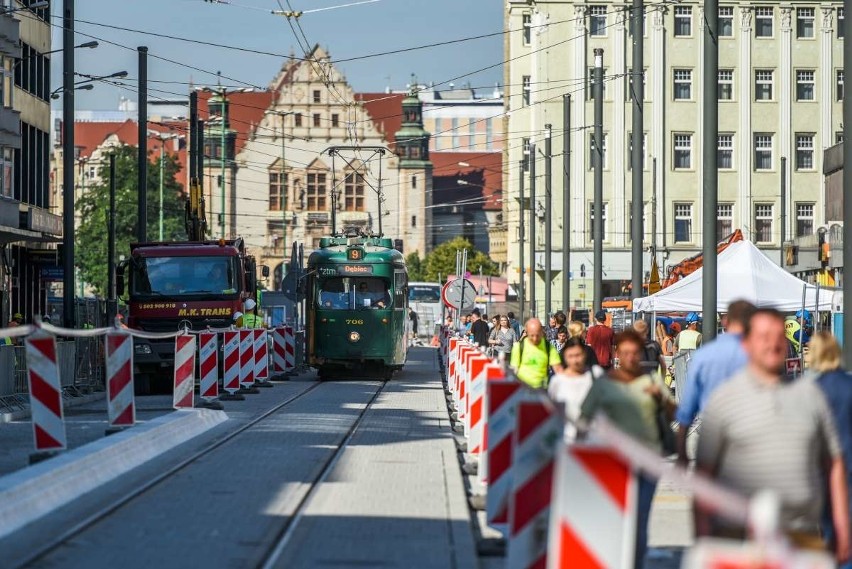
(760, 433)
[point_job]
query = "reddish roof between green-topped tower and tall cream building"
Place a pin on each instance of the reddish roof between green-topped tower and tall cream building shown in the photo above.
(484, 177)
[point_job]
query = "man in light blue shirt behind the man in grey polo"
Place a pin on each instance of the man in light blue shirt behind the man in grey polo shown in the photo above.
(709, 367)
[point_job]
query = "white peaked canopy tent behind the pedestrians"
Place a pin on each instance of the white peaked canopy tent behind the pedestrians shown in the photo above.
(744, 273)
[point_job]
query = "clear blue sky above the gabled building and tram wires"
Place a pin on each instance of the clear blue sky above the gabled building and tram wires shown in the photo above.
(347, 32)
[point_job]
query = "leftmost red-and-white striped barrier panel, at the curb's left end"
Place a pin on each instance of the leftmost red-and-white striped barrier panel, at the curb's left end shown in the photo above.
(48, 417)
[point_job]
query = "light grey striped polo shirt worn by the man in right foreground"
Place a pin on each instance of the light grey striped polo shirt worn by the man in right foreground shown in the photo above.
(756, 435)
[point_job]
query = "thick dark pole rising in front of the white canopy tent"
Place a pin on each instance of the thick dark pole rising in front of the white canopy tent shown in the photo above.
(711, 168)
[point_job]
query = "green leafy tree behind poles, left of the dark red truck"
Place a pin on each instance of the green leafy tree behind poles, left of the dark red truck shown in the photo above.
(93, 206)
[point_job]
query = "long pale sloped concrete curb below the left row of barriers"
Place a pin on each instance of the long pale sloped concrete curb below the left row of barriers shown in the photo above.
(35, 491)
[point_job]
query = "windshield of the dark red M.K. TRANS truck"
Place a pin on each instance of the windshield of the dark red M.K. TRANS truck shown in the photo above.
(176, 276)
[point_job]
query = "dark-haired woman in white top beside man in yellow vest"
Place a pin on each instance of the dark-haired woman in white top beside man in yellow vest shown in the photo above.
(572, 385)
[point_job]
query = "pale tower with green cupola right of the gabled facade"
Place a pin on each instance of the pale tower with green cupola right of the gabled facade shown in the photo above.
(415, 177)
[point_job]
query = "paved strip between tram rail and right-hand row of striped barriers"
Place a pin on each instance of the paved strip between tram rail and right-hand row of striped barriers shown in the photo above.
(395, 498)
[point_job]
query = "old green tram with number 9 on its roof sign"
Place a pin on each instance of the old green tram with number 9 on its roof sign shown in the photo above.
(357, 307)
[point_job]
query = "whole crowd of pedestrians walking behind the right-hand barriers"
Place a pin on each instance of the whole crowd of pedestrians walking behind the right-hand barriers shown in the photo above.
(759, 428)
